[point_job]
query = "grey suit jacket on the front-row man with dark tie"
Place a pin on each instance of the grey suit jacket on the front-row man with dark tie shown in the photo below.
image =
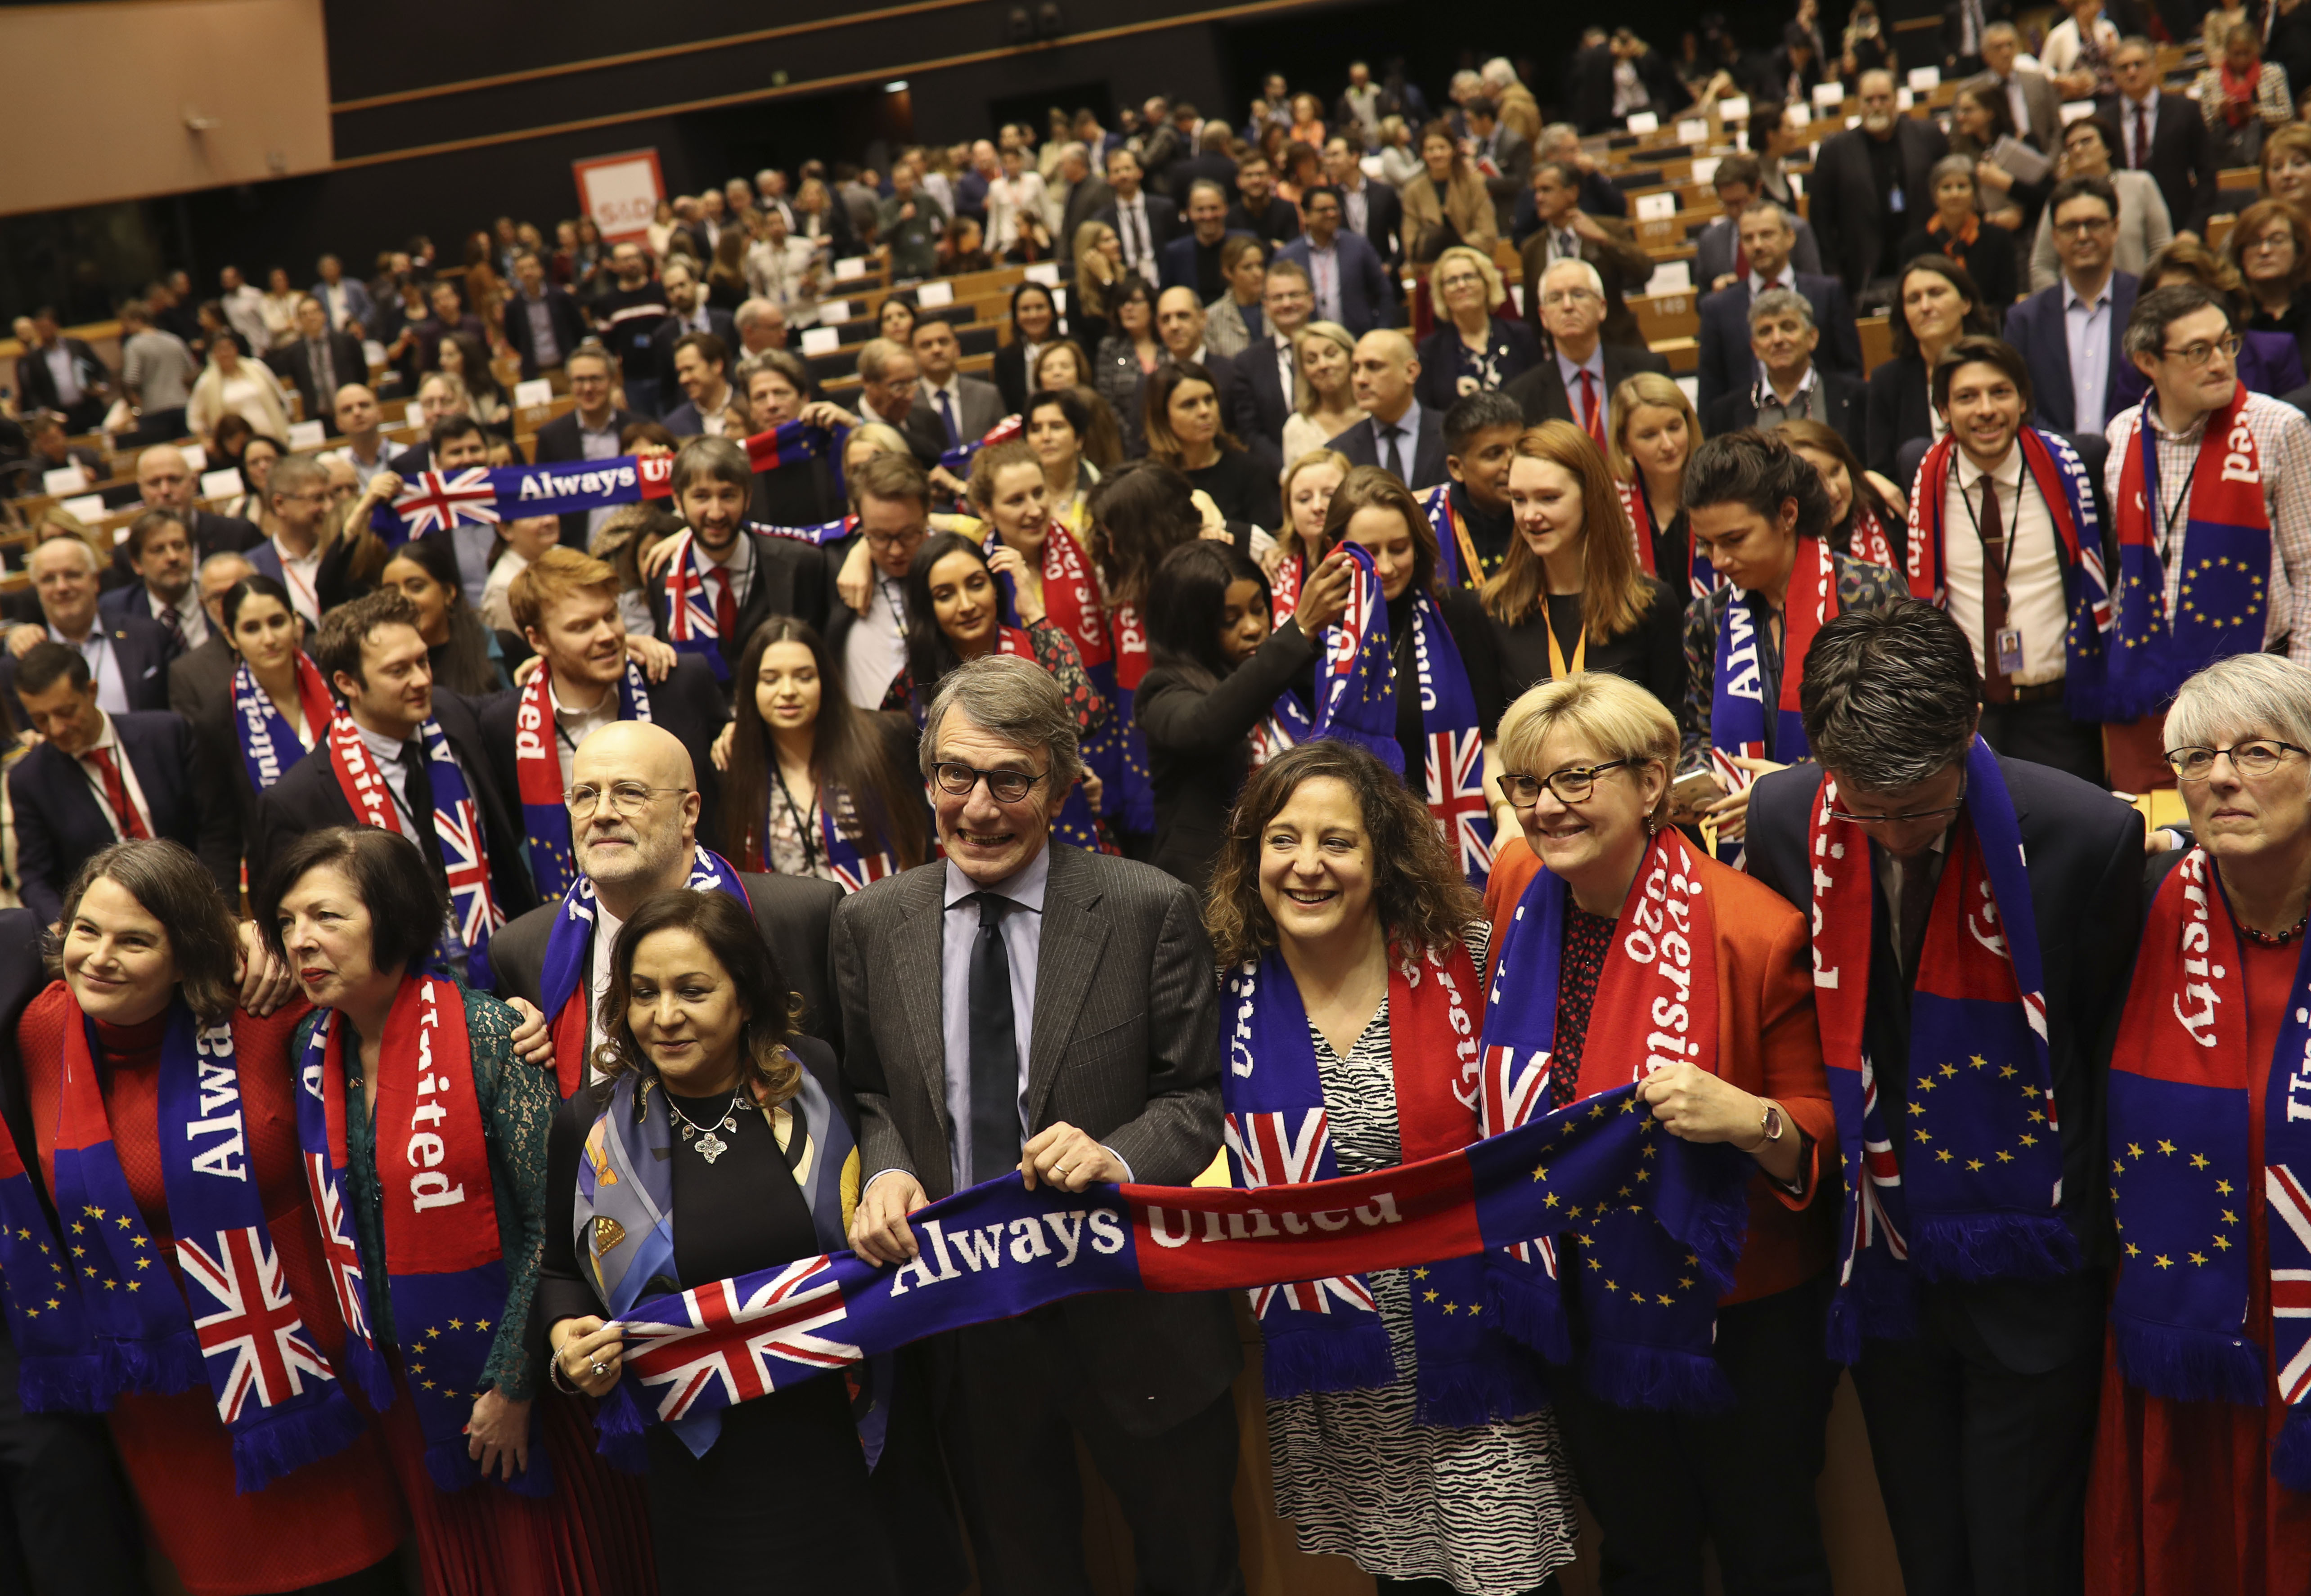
(1127, 1047)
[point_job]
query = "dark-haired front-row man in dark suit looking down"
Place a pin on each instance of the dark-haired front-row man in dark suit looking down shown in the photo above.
(1984, 1422)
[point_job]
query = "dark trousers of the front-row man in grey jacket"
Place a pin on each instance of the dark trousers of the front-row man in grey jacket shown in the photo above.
(1011, 1412)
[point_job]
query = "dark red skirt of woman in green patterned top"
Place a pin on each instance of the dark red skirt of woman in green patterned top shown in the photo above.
(588, 1539)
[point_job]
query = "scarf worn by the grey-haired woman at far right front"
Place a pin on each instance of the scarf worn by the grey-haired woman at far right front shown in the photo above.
(2183, 1172)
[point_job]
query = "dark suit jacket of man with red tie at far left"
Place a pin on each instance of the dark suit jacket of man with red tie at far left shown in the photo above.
(61, 826)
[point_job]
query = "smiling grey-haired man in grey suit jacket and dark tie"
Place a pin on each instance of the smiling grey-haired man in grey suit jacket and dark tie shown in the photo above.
(1030, 1010)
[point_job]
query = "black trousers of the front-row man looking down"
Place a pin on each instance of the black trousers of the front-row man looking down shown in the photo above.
(1982, 1463)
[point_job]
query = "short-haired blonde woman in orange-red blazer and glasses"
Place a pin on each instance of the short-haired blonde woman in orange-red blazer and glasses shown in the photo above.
(1693, 1408)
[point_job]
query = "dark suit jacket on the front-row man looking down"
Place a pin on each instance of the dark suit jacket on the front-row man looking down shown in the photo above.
(2086, 886)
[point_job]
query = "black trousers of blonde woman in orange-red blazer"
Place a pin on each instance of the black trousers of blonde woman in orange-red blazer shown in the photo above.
(1744, 1482)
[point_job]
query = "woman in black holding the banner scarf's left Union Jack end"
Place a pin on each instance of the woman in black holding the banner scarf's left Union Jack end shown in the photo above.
(713, 1142)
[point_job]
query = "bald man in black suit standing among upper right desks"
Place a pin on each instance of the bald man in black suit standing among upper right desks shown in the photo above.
(1871, 184)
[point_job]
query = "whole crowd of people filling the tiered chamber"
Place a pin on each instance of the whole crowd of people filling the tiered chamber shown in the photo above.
(1300, 738)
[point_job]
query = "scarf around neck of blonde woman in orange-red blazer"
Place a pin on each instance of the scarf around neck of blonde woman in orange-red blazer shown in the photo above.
(1647, 1295)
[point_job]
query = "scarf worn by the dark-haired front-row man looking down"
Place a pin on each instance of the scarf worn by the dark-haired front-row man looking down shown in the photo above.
(1977, 1188)
